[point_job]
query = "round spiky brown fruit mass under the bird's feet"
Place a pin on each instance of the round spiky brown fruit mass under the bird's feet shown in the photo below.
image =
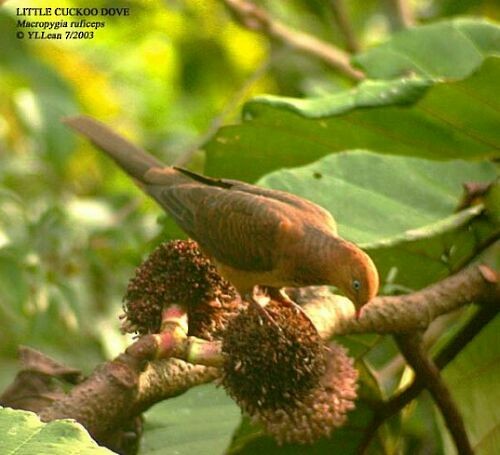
(284, 377)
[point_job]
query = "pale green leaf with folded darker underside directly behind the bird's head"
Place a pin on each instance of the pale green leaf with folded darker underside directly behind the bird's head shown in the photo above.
(400, 209)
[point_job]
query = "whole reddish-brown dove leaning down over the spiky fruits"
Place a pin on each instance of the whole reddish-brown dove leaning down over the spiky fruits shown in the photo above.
(254, 235)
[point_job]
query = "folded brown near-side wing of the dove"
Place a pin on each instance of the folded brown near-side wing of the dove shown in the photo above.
(238, 229)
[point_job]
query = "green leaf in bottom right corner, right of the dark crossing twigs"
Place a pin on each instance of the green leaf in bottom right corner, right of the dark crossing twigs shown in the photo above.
(473, 380)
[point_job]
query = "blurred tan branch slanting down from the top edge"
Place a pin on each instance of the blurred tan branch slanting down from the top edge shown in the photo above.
(255, 18)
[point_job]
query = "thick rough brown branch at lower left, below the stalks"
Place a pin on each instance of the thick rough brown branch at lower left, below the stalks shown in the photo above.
(117, 392)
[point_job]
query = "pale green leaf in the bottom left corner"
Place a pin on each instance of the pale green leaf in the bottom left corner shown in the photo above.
(22, 433)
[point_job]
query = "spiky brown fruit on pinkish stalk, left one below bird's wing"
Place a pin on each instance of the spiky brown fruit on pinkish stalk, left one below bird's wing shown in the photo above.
(177, 273)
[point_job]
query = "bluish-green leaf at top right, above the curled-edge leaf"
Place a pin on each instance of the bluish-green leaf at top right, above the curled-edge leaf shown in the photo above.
(447, 49)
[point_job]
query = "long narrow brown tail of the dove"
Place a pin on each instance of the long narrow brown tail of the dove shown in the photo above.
(132, 159)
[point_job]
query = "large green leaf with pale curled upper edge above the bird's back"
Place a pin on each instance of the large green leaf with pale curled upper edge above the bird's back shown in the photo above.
(444, 120)
